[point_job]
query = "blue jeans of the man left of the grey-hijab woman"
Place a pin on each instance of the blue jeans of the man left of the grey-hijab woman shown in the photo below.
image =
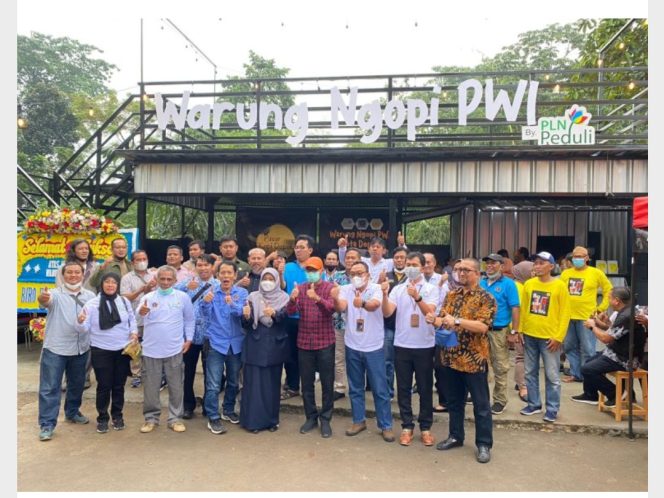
(214, 369)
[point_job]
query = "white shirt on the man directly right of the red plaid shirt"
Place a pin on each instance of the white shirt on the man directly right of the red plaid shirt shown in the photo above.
(373, 334)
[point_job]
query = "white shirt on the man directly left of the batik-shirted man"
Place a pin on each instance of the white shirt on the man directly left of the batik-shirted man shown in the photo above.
(406, 336)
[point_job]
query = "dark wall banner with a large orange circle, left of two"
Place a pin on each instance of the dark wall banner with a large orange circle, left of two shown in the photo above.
(273, 229)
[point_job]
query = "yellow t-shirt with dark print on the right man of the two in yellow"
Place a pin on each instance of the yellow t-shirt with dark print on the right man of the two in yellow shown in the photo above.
(582, 286)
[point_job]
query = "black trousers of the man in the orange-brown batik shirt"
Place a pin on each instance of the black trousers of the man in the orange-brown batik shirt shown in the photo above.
(456, 384)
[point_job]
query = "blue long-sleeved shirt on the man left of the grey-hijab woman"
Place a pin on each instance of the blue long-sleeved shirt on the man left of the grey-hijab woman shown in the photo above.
(225, 326)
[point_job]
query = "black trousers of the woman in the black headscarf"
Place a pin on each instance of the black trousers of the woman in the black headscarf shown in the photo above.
(111, 371)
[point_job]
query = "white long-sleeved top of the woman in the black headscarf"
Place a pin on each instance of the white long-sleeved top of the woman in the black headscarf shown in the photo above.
(113, 339)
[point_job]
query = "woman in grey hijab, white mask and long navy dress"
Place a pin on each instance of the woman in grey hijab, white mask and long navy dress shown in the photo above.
(265, 350)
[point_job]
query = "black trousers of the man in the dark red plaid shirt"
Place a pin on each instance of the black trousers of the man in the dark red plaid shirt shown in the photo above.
(321, 360)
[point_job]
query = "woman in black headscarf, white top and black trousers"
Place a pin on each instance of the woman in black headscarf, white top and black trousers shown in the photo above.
(111, 323)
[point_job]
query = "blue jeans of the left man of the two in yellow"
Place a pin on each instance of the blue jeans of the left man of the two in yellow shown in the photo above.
(535, 348)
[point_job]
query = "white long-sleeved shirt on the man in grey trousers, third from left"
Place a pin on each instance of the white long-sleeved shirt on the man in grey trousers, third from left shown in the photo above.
(169, 323)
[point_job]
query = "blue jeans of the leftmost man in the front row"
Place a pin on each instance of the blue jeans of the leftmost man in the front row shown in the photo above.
(51, 369)
